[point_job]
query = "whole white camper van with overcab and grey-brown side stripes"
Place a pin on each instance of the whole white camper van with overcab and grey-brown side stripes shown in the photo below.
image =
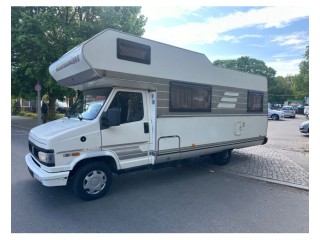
(143, 103)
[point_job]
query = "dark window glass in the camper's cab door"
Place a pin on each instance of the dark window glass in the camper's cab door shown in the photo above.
(130, 105)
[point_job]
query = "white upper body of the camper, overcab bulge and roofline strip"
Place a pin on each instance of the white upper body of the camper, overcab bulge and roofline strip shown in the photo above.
(167, 62)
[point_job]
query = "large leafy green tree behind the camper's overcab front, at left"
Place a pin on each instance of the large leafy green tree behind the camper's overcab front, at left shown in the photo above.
(40, 35)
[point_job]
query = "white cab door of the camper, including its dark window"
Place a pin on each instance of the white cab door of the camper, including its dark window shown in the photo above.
(129, 140)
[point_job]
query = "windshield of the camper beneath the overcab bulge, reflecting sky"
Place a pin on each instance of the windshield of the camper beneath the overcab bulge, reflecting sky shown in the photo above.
(89, 103)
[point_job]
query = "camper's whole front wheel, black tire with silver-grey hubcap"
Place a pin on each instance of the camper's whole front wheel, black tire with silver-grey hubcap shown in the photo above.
(92, 181)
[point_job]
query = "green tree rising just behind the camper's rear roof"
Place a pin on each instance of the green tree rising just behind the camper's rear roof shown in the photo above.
(251, 65)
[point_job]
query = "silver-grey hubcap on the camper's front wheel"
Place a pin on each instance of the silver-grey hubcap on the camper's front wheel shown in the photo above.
(95, 182)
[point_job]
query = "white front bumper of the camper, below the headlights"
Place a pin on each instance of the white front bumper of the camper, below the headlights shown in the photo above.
(46, 178)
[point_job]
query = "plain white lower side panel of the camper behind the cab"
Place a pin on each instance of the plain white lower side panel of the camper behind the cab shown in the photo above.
(186, 137)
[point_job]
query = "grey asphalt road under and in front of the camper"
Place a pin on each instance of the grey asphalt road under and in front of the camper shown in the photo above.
(188, 199)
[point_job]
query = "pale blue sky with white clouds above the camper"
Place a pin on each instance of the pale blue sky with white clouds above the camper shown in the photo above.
(277, 35)
